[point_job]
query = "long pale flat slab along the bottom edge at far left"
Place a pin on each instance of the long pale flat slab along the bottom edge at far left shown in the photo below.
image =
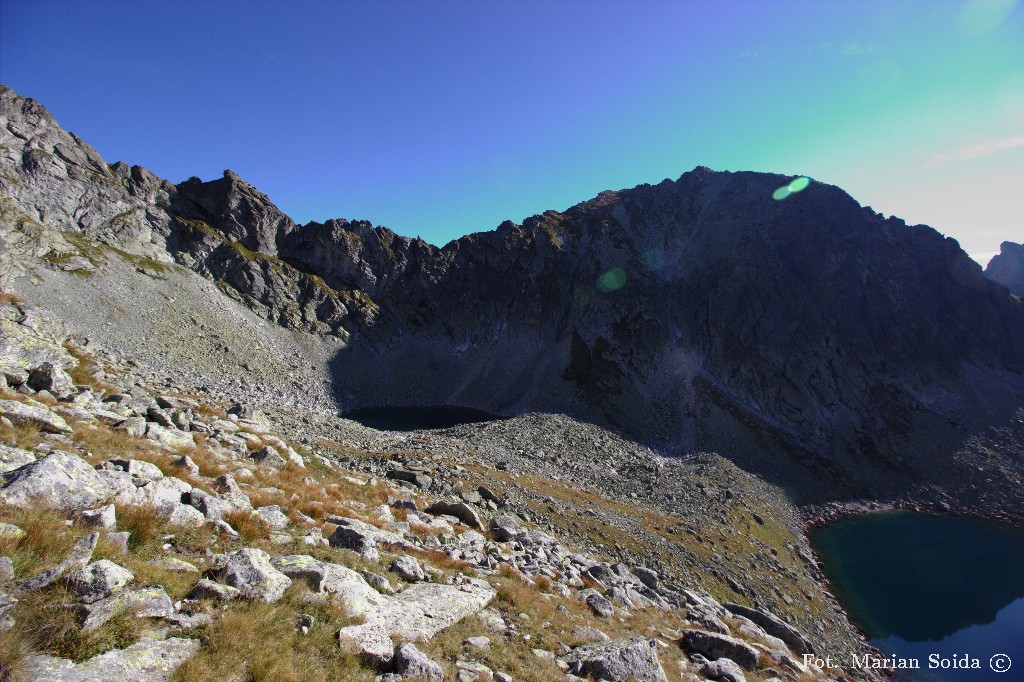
(147, 661)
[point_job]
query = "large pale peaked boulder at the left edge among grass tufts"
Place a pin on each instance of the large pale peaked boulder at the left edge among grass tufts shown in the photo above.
(60, 480)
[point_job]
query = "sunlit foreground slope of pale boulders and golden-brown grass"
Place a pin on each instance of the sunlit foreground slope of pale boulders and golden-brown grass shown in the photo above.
(147, 534)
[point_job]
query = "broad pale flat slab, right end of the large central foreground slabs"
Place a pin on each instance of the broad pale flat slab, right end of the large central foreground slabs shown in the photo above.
(425, 609)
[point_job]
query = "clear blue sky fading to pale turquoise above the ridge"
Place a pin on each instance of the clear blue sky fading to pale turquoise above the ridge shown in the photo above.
(443, 118)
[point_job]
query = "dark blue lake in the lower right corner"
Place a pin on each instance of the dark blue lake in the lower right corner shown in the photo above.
(922, 586)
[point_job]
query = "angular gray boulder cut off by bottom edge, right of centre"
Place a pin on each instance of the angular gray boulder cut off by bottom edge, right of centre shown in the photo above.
(632, 660)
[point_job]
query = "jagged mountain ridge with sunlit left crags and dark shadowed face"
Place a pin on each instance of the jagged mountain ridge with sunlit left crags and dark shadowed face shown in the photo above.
(809, 339)
